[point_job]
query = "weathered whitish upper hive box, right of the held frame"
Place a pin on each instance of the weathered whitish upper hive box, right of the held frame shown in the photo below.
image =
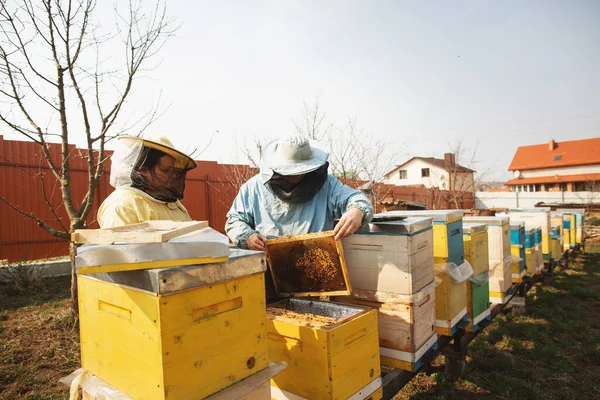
(393, 258)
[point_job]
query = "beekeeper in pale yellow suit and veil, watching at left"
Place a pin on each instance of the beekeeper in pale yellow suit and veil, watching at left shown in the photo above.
(148, 174)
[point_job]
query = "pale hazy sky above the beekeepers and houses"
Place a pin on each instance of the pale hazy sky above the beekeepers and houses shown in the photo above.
(422, 75)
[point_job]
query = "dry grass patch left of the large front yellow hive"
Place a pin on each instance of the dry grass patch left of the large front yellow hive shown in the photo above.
(38, 342)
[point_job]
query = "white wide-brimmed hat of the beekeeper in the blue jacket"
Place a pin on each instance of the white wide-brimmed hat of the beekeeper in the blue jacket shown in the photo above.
(294, 155)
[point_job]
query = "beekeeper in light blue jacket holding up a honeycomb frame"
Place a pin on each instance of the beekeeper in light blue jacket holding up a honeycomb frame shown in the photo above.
(293, 195)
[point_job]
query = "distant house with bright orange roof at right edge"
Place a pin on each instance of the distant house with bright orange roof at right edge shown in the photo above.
(572, 166)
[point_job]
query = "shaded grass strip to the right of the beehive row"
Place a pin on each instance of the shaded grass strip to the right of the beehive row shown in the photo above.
(551, 352)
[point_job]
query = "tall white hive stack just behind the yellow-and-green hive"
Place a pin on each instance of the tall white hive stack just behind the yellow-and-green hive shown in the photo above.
(500, 256)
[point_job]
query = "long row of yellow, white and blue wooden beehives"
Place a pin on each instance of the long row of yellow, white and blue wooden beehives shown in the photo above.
(192, 332)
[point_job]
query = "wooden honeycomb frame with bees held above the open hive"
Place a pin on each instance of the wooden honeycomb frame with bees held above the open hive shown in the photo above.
(308, 265)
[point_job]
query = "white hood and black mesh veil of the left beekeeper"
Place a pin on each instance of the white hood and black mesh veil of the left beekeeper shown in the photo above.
(136, 154)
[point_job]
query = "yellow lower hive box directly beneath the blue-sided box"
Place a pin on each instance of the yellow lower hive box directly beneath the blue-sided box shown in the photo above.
(450, 300)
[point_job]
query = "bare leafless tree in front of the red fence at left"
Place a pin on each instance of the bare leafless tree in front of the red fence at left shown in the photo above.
(62, 77)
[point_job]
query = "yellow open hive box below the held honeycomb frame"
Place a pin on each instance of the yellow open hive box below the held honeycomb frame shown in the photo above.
(331, 363)
